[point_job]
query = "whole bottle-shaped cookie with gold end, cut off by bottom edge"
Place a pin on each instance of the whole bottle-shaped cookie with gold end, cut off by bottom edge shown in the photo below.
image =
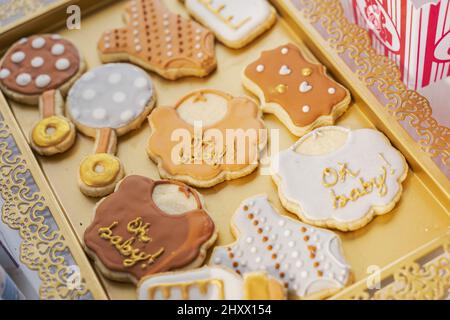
(210, 283)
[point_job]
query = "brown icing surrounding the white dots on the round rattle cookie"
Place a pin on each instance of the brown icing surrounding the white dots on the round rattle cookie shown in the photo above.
(58, 77)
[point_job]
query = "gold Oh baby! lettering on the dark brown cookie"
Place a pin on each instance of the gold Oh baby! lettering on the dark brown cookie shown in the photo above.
(125, 247)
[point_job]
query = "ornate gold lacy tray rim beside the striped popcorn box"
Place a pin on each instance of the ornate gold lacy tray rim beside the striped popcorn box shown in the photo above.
(381, 75)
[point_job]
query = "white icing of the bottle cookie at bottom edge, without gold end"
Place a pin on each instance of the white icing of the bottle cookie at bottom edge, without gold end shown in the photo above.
(233, 284)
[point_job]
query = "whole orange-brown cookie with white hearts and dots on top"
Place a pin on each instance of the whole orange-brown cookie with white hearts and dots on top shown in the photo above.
(298, 92)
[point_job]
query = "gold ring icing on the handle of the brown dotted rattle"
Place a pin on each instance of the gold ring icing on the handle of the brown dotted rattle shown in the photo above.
(50, 131)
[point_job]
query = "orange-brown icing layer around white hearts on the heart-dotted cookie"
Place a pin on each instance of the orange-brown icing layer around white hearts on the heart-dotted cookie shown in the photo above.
(284, 89)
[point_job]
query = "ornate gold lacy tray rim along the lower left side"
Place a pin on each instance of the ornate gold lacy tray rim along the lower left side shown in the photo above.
(43, 248)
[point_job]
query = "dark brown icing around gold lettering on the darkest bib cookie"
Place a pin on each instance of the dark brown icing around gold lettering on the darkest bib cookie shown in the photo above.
(174, 239)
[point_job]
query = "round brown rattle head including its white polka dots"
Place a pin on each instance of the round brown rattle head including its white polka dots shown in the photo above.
(39, 63)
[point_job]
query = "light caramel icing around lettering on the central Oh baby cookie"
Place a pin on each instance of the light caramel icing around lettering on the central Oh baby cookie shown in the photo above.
(242, 113)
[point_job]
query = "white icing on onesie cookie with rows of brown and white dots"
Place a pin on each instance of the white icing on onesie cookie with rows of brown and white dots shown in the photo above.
(297, 265)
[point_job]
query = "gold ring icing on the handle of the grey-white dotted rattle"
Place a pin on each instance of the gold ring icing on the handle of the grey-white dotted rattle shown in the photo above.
(91, 177)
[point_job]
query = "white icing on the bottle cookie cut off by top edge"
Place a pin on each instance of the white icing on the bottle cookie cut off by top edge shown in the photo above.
(253, 13)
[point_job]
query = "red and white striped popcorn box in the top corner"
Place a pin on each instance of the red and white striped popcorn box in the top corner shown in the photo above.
(413, 33)
